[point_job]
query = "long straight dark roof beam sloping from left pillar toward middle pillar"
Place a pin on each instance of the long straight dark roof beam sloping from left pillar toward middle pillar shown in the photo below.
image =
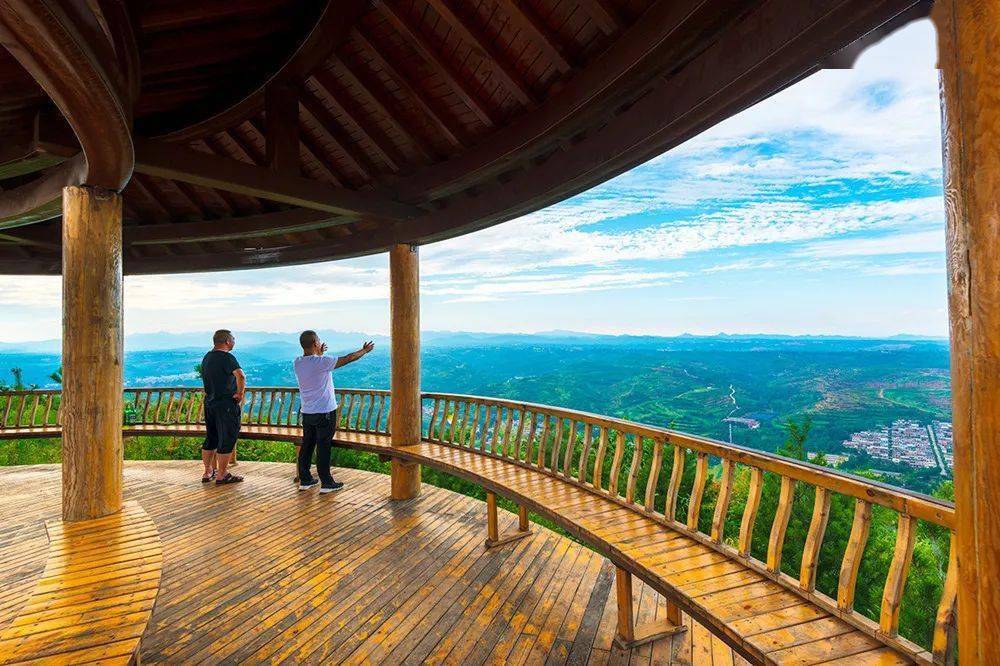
(174, 162)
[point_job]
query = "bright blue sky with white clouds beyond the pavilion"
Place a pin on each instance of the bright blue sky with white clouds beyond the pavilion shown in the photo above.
(817, 211)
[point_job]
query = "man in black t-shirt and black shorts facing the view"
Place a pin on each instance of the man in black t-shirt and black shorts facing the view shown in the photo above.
(225, 385)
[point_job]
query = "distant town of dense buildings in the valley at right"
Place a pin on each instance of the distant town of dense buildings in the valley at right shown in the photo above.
(910, 443)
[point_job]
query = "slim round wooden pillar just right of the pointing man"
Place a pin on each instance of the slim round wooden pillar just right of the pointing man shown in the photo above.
(405, 413)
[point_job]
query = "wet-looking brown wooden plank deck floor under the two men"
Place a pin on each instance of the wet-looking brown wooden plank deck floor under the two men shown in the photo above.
(259, 573)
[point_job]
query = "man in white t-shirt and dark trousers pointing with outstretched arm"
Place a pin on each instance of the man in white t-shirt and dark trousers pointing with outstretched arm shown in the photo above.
(314, 372)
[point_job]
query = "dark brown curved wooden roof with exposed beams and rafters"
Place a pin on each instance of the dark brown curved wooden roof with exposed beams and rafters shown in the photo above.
(268, 132)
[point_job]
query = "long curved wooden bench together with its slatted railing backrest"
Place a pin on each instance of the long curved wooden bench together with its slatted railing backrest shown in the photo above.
(582, 472)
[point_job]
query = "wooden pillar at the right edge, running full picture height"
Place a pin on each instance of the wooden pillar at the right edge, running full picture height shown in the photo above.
(968, 38)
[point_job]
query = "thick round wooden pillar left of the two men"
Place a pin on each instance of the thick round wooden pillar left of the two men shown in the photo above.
(92, 353)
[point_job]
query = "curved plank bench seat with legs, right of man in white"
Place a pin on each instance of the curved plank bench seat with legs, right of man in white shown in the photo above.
(758, 618)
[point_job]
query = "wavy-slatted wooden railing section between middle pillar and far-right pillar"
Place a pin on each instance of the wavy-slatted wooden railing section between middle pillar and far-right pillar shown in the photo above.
(664, 474)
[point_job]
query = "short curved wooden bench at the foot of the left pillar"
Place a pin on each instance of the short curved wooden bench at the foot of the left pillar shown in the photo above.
(95, 597)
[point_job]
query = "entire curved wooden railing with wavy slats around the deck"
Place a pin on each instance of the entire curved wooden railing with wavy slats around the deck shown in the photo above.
(711, 491)
